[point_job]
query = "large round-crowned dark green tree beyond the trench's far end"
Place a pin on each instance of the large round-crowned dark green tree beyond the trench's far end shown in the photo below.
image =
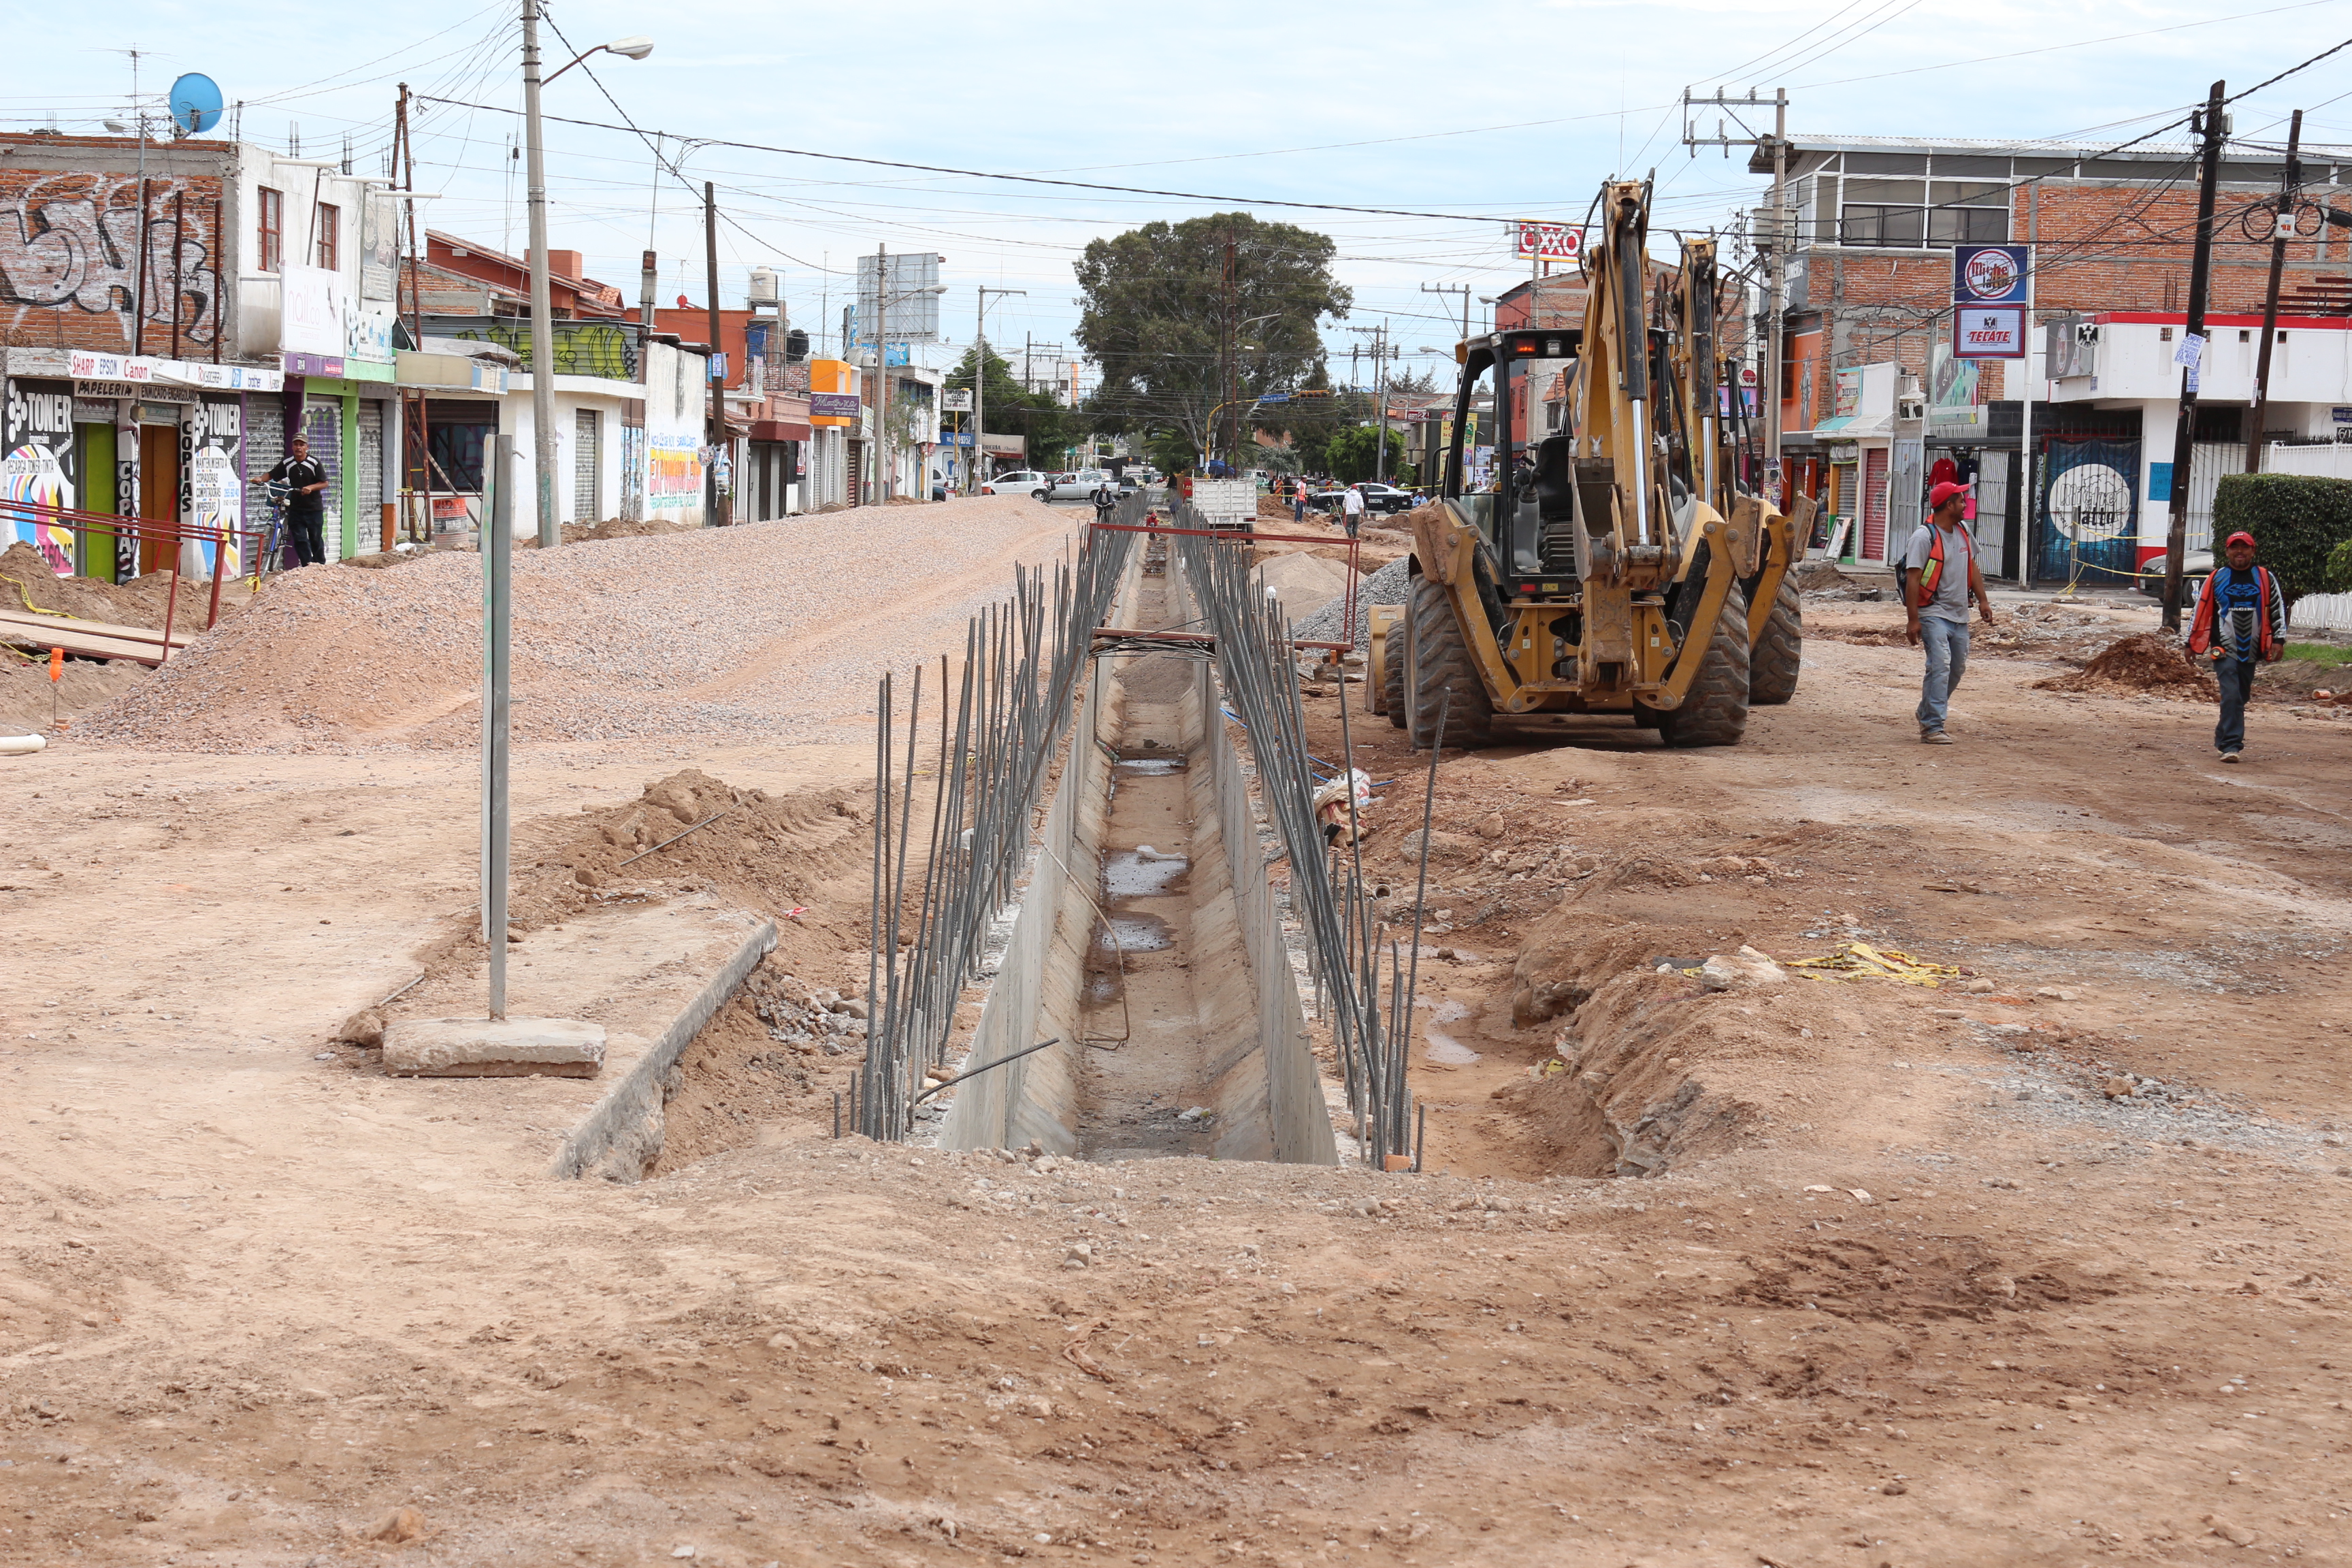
(1187, 319)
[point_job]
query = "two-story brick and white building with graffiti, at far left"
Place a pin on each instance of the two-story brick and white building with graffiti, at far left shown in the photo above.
(171, 314)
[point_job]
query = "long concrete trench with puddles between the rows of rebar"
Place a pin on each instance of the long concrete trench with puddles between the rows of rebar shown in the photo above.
(1149, 942)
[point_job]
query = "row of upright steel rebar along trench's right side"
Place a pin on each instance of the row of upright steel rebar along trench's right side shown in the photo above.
(1351, 953)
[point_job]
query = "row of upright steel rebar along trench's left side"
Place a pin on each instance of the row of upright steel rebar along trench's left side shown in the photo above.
(1015, 702)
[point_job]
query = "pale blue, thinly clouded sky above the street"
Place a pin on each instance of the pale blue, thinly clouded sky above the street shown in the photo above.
(1506, 112)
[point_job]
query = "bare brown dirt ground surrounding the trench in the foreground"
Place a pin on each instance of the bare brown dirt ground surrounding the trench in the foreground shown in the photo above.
(1718, 1273)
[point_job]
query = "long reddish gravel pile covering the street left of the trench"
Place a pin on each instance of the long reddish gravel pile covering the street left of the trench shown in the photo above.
(761, 629)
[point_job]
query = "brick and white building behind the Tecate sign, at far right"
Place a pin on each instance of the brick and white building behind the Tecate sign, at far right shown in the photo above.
(1869, 321)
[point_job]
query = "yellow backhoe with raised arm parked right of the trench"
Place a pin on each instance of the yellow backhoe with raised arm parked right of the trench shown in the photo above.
(1589, 568)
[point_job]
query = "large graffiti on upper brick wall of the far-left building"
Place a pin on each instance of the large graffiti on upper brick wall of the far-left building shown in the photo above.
(69, 248)
